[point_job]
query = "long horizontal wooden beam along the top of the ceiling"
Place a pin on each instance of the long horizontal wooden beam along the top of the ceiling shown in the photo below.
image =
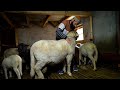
(66, 13)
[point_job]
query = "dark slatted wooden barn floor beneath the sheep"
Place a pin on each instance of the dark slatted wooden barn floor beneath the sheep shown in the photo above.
(104, 71)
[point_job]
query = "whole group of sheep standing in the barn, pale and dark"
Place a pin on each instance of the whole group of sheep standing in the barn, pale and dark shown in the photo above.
(45, 52)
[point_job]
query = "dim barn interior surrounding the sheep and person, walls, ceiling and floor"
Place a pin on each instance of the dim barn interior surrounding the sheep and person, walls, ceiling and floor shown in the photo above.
(100, 27)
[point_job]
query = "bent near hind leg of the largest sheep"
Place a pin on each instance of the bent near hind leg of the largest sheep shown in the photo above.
(38, 68)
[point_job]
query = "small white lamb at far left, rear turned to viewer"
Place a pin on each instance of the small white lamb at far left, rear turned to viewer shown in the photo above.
(12, 62)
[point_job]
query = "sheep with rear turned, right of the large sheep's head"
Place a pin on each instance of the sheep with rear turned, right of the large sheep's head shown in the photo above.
(89, 49)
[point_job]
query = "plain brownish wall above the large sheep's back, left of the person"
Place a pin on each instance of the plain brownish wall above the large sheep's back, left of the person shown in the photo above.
(35, 33)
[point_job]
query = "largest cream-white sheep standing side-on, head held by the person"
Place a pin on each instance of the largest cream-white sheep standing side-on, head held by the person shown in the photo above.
(44, 52)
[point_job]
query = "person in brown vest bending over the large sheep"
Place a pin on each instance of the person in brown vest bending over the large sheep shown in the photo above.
(61, 33)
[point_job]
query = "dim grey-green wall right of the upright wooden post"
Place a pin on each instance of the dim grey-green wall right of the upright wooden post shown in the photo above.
(105, 31)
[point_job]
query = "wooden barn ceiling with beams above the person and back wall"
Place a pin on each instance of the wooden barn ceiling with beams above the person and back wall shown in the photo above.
(41, 18)
